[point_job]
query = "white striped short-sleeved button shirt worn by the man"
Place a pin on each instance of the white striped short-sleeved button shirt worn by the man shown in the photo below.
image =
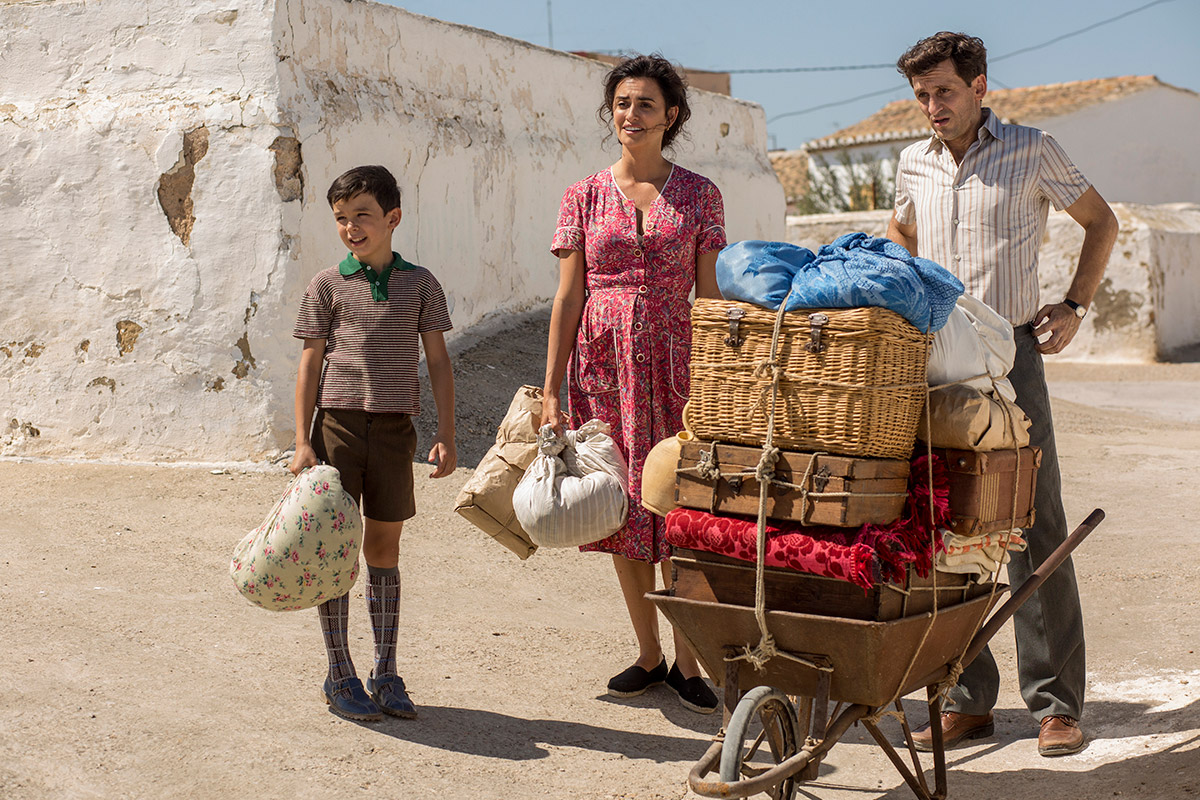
(985, 219)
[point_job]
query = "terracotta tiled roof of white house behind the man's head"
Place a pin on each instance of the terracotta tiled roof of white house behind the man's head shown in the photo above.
(902, 119)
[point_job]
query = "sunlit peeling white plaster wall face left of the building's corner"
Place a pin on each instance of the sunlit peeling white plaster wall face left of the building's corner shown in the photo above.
(94, 101)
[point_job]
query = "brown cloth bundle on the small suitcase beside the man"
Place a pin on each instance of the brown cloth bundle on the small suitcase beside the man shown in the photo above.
(963, 418)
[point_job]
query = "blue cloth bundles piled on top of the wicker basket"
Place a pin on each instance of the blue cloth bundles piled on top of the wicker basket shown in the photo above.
(856, 270)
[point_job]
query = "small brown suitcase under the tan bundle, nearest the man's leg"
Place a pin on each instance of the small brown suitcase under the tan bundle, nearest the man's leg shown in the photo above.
(982, 489)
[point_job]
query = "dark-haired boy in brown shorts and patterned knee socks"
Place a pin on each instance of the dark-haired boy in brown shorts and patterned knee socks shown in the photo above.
(361, 322)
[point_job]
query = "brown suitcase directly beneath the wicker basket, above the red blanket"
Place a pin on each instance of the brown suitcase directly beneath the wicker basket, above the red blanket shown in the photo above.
(842, 491)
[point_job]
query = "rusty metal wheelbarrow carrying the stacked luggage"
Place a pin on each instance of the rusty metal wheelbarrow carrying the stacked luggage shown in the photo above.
(863, 666)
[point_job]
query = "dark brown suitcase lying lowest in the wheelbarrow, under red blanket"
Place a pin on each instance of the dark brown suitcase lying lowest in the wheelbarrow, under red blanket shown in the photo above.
(698, 575)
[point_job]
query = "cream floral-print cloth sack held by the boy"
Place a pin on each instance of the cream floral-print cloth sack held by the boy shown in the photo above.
(308, 549)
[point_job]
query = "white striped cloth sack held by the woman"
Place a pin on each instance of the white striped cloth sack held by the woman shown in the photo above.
(575, 492)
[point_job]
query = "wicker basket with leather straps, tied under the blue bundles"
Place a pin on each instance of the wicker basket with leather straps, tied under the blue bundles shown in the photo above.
(854, 380)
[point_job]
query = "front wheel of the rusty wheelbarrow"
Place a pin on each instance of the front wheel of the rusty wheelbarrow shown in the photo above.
(764, 715)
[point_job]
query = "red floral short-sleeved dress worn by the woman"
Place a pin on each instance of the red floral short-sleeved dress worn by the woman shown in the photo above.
(629, 366)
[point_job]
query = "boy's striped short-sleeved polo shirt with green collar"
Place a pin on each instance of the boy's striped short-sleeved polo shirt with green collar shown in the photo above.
(373, 348)
